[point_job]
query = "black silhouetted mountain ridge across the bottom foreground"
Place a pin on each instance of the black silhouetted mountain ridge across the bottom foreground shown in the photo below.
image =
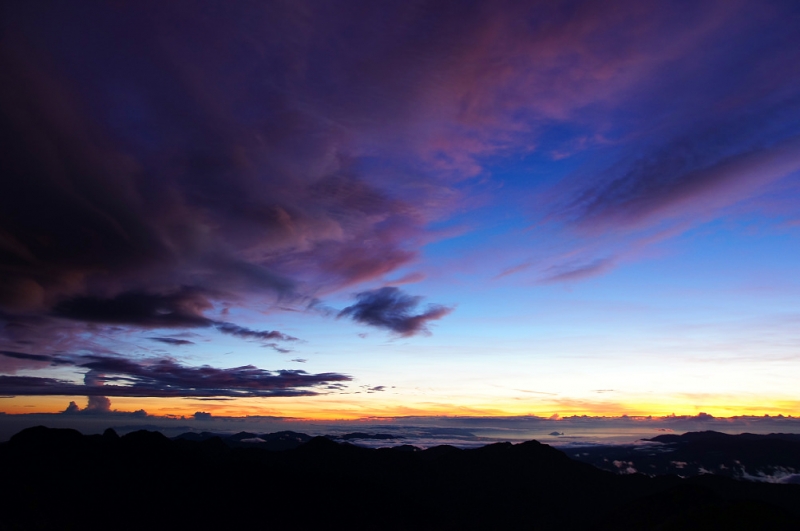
(60, 479)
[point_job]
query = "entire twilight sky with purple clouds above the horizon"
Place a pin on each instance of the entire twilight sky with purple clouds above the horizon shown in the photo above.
(372, 210)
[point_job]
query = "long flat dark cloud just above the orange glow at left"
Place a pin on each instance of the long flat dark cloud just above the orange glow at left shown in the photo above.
(106, 376)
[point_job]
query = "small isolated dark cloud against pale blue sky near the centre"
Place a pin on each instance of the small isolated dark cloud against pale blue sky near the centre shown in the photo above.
(390, 308)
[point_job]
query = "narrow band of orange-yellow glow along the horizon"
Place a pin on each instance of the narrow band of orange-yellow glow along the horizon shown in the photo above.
(331, 407)
